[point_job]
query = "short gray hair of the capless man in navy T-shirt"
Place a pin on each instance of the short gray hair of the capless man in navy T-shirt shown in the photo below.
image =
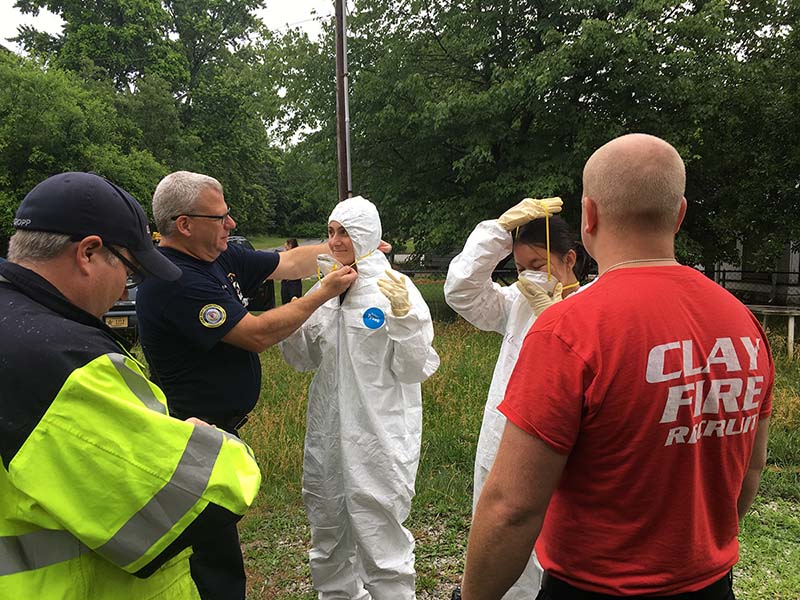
(177, 194)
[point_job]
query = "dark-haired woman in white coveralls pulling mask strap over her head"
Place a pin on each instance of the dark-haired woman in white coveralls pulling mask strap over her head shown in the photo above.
(511, 310)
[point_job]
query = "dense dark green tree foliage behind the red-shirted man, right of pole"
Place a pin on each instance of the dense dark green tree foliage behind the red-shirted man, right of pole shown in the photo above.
(458, 109)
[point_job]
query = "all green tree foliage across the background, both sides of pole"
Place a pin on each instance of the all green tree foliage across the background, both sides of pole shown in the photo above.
(458, 107)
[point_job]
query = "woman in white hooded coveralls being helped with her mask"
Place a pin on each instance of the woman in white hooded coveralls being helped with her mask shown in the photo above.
(371, 349)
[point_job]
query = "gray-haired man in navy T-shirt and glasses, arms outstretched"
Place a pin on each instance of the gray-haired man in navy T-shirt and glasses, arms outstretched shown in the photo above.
(201, 342)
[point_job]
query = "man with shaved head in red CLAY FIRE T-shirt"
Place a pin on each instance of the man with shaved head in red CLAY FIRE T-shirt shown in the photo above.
(628, 462)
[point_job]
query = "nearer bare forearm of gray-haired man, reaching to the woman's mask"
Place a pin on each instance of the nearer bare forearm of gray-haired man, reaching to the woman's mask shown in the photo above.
(257, 333)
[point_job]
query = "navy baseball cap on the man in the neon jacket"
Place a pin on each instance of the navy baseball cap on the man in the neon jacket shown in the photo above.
(82, 204)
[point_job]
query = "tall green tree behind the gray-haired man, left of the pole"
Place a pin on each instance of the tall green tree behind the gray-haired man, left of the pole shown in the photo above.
(186, 83)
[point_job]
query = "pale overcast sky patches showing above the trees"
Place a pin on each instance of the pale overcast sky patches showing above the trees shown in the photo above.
(278, 15)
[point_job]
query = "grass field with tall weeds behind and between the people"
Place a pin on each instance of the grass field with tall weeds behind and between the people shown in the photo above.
(275, 534)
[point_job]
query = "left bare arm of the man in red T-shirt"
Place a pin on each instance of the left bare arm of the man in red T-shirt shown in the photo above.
(510, 513)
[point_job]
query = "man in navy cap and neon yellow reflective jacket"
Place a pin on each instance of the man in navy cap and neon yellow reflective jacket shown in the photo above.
(102, 492)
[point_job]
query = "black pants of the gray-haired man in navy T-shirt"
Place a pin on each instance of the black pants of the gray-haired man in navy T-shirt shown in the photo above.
(217, 565)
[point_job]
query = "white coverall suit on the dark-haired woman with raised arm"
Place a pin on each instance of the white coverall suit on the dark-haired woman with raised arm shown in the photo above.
(470, 291)
